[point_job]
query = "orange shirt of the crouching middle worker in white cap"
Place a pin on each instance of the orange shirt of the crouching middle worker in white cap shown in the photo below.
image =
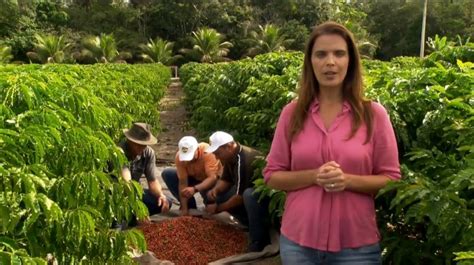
(204, 166)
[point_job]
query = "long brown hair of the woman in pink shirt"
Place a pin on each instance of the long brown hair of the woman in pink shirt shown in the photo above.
(352, 86)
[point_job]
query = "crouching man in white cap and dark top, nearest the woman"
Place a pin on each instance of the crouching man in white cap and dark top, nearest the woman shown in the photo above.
(234, 192)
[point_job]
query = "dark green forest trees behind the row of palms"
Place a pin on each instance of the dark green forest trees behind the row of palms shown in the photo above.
(393, 26)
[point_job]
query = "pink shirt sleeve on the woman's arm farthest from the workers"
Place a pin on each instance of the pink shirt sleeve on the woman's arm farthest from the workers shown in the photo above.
(385, 155)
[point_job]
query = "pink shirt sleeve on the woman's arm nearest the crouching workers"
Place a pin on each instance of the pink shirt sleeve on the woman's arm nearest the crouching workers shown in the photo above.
(279, 157)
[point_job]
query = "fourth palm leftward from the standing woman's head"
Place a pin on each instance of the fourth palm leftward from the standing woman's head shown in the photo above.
(102, 49)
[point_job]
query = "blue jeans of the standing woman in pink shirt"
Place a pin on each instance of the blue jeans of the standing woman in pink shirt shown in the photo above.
(292, 253)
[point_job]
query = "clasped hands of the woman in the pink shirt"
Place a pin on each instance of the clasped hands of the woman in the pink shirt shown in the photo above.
(330, 177)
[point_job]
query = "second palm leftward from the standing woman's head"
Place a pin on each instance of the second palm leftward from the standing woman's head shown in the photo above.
(207, 46)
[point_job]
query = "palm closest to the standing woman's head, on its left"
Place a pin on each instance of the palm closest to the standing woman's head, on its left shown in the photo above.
(266, 39)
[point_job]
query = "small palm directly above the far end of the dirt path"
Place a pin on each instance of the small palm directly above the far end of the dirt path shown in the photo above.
(158, 51)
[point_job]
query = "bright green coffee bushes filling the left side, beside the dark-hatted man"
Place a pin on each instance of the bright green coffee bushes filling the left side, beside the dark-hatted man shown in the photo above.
(59, 127)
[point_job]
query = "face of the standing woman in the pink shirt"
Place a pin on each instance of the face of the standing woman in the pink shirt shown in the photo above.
(330, 60)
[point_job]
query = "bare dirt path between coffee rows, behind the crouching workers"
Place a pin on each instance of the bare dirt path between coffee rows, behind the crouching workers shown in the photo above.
(175, 125)
